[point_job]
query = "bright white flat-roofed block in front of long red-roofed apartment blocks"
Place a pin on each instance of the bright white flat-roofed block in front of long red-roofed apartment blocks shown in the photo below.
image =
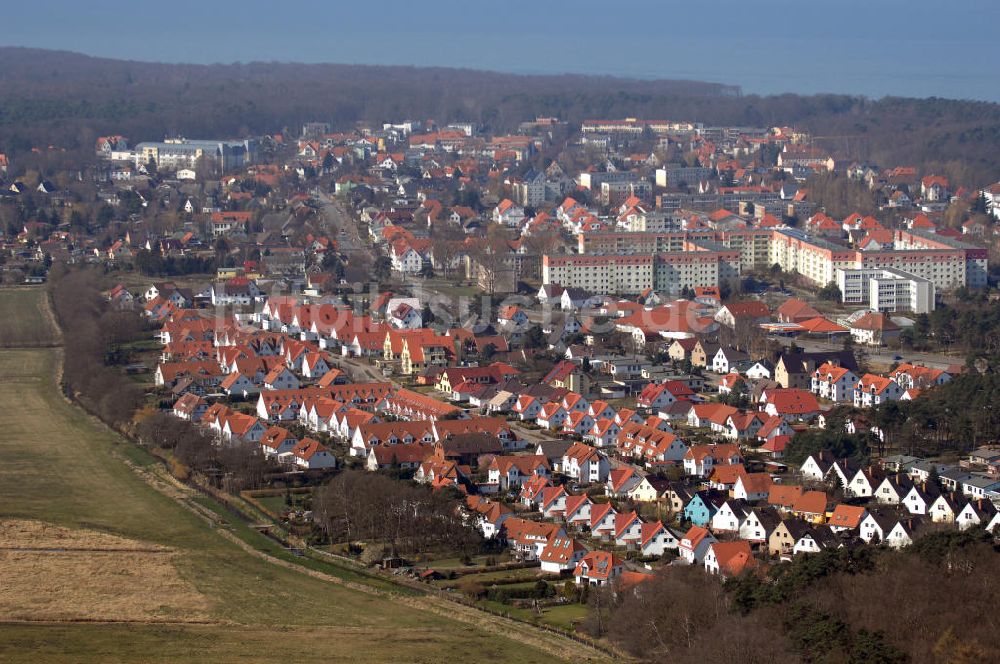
(886, 289)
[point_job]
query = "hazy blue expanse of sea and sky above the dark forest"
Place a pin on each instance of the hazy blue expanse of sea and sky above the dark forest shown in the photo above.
(874, 47)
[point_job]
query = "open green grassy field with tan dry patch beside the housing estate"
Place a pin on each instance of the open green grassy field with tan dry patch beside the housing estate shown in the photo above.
(65, 478)
